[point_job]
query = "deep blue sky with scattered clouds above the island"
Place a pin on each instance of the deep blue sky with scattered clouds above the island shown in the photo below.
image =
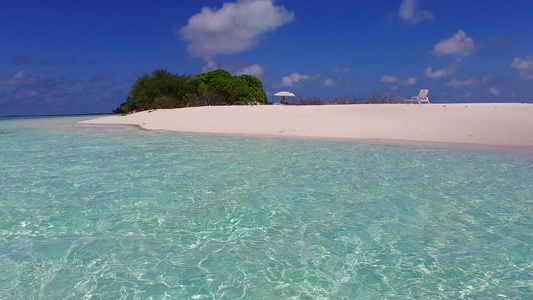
(63, 57)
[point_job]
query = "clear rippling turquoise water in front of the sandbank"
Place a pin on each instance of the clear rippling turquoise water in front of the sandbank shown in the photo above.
(89, 212)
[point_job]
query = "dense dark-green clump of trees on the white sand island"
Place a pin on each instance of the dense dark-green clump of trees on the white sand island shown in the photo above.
(161, 89)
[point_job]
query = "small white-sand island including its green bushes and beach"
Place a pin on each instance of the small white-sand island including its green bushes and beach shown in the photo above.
(217, 102)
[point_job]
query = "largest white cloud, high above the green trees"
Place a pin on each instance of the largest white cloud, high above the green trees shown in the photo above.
(233, 28)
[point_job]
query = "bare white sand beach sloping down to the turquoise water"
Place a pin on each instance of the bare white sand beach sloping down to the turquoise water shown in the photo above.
(493, 124)
